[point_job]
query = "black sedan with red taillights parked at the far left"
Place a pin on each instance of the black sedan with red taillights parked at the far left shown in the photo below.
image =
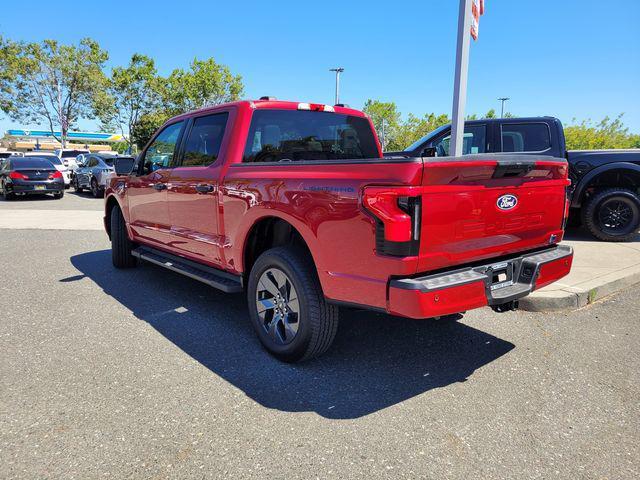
(29, 176)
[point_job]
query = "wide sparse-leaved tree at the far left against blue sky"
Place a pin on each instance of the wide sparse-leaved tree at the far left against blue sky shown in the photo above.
(54, 83)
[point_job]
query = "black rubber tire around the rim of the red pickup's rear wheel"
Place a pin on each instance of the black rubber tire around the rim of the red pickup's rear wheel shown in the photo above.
(317, 321)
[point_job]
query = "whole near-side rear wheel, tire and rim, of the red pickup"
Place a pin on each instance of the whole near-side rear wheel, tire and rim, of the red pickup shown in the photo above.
(288, 310)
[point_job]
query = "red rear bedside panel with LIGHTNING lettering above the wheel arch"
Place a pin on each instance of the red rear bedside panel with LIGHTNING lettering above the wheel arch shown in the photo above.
(322, 202)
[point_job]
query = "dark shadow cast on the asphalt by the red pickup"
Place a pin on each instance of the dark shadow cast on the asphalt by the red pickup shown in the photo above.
(376, 361)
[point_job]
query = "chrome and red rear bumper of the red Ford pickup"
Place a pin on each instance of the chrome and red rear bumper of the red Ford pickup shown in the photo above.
(473, 287)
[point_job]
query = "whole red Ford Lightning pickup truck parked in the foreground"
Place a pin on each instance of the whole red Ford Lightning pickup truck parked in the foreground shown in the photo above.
(294, 204)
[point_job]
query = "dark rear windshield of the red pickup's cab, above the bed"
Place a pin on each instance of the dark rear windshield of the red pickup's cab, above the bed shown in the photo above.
(295, 135)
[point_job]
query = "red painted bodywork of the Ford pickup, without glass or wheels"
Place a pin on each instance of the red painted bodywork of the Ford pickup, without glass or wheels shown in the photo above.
(460, 221)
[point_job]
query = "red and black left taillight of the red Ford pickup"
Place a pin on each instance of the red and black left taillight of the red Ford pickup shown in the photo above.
(397, 215)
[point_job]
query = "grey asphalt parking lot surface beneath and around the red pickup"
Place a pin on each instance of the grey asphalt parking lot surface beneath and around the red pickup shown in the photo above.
(147, 374)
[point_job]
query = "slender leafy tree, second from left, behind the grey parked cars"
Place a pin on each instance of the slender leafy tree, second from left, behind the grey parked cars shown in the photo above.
(133, 91)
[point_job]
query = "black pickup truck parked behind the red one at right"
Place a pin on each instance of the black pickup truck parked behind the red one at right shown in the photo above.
(605, 183)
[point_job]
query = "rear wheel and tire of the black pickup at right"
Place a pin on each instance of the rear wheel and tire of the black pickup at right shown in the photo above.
(612, 215)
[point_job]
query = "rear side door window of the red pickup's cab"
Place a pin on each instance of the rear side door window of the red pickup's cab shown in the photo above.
(204, 140)
